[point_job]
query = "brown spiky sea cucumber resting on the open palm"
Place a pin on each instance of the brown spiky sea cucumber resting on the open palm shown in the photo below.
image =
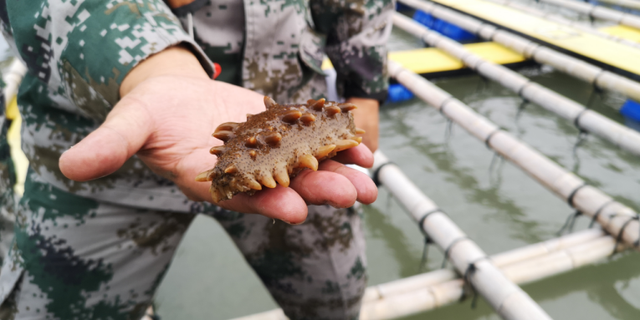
(275, 145)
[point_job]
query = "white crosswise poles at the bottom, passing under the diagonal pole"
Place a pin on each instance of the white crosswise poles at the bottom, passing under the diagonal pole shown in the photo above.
(441, 287)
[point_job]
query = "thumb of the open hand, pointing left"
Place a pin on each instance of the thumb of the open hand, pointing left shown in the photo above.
(105, 150)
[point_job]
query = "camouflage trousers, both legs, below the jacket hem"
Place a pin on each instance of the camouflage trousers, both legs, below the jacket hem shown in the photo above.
(75, 258)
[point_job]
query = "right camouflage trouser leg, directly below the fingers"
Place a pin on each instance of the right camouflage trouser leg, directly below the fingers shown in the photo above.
(315, 270)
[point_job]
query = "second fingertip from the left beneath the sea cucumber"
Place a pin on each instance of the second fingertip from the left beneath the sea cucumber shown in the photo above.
(322, 187)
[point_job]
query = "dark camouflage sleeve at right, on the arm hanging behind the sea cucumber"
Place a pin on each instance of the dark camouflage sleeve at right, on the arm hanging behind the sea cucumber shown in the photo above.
(357, 32)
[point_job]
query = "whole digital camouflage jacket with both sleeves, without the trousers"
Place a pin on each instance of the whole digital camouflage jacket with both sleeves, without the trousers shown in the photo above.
(78, 53)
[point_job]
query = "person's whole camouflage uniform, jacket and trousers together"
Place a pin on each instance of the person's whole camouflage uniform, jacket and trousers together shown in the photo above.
(96, 250)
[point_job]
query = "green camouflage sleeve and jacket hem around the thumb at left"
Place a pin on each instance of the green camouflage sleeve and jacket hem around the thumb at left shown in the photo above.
(77, 53)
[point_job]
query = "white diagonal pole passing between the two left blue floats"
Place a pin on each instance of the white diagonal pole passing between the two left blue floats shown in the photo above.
(585, 119)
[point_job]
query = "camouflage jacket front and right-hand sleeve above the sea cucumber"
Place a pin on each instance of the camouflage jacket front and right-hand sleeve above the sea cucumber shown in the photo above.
(284, 44)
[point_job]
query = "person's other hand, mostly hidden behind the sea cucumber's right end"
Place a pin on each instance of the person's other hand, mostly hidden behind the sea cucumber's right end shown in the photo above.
(367, 118)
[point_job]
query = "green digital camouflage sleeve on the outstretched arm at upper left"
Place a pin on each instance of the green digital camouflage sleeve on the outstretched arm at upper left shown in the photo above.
(83, 49)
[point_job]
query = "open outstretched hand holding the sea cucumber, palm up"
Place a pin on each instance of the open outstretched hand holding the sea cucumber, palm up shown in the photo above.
(167, 116)
